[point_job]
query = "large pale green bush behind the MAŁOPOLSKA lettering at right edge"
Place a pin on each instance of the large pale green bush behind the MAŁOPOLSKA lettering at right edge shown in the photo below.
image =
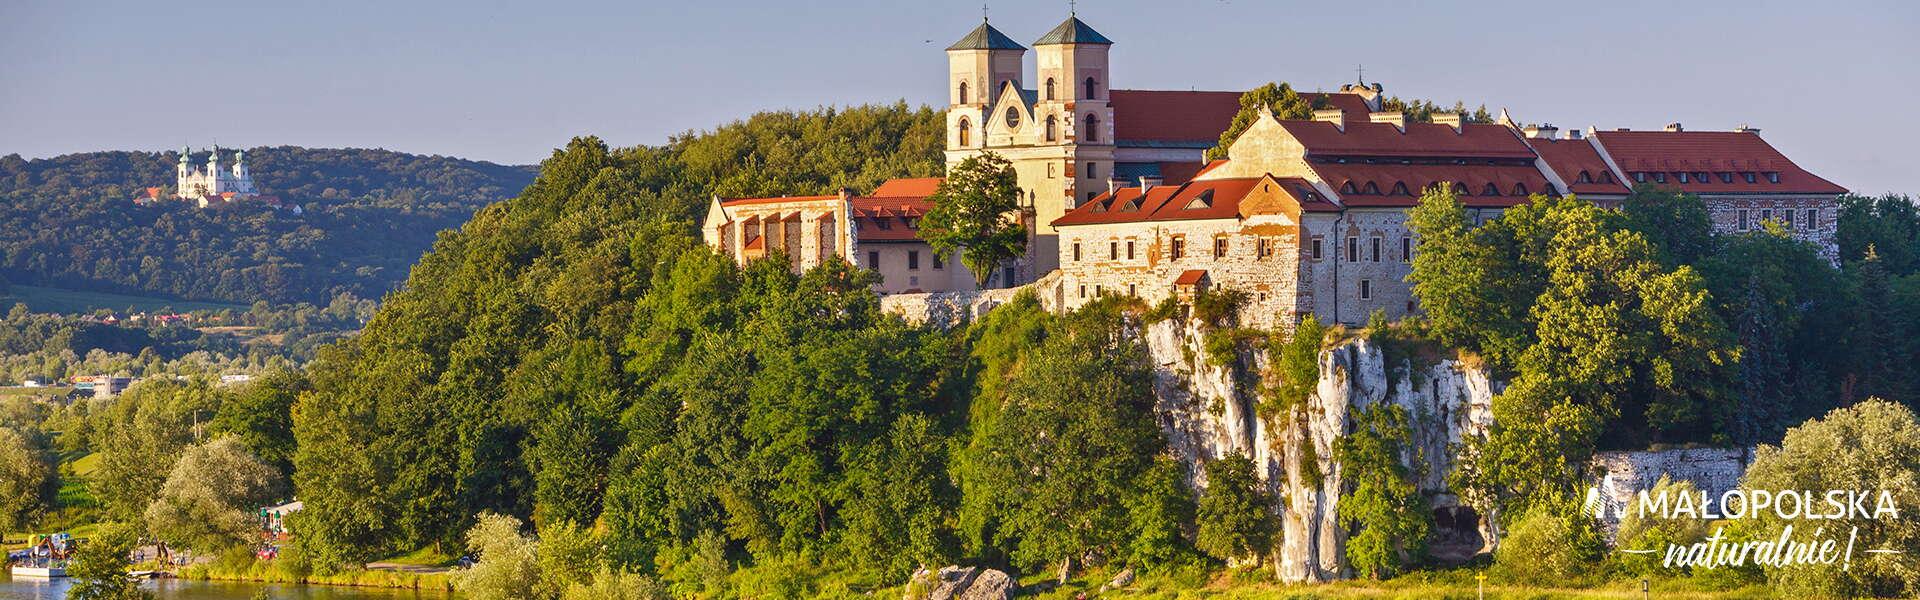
(1869, 447)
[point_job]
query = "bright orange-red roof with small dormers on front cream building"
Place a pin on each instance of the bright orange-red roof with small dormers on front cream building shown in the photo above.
(1209, 199)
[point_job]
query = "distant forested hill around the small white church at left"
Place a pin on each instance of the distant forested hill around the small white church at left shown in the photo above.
(70, 222)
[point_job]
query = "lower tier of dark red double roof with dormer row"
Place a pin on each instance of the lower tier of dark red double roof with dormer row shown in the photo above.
(1403, 186)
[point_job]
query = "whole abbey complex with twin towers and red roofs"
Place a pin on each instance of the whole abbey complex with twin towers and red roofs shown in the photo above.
(1305, 216)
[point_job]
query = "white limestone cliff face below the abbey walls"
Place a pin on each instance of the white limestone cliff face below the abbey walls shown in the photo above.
(1209, 412)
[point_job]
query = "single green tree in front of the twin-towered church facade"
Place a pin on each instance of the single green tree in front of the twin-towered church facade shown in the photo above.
(972, 214)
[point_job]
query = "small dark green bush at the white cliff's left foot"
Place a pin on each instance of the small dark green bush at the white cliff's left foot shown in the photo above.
(1236, 514)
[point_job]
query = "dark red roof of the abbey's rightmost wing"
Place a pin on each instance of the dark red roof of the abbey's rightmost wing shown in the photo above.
(1725, 157)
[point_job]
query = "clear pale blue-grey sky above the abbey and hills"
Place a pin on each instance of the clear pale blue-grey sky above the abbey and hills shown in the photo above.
(1829, 84)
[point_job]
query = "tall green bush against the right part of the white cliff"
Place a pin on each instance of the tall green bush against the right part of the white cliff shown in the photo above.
(1381, 499)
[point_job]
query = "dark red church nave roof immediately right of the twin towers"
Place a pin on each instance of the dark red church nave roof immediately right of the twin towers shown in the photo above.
(1195, 118)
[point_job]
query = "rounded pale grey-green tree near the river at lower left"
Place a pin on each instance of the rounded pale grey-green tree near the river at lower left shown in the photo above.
(210, 501)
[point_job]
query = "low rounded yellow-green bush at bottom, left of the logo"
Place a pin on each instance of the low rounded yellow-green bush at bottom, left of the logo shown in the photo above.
(1550, 541)
